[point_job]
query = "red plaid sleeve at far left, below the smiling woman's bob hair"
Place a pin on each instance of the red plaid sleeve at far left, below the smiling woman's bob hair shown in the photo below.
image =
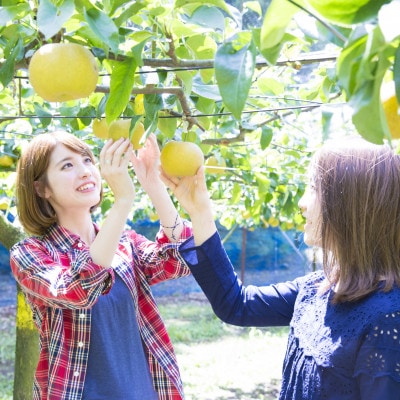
(51, 279)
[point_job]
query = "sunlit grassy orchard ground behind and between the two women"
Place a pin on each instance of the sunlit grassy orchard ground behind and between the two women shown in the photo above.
(217, 361)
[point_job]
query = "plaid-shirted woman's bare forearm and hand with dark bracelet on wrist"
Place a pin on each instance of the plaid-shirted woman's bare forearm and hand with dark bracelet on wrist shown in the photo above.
(146, 165)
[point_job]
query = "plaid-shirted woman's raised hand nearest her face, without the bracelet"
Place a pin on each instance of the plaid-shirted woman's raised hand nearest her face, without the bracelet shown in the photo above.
(114, 160)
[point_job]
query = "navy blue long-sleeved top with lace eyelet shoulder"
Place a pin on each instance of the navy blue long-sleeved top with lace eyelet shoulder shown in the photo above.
(349, 351)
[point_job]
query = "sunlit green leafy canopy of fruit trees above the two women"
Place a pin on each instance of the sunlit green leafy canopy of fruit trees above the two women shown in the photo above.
(257, 83)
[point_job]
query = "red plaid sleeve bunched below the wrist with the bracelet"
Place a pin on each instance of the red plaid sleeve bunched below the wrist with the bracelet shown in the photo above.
(160, 259)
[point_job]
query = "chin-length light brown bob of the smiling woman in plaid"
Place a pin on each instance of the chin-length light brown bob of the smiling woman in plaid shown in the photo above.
(35, 213)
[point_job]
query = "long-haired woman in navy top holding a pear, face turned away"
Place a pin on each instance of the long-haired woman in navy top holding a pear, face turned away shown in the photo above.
(344, 338)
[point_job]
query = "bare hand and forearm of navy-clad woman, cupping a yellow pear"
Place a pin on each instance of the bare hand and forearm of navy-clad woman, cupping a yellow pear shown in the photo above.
(191, 192)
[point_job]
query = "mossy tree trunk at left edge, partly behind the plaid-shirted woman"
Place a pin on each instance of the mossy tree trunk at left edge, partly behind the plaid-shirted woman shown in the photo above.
(27, 337)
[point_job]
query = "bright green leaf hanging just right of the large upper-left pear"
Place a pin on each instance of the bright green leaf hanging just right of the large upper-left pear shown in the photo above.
(122, 79)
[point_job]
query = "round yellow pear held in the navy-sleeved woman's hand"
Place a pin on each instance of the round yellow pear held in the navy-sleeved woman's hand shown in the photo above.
(181, 158)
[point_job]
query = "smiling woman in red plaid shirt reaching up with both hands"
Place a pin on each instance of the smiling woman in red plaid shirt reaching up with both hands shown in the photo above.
(101, 335)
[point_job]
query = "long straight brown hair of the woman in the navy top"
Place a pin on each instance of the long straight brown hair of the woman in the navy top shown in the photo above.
(358, 184)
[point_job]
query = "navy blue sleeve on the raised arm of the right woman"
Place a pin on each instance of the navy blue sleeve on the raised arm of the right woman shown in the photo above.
(232, 302)
